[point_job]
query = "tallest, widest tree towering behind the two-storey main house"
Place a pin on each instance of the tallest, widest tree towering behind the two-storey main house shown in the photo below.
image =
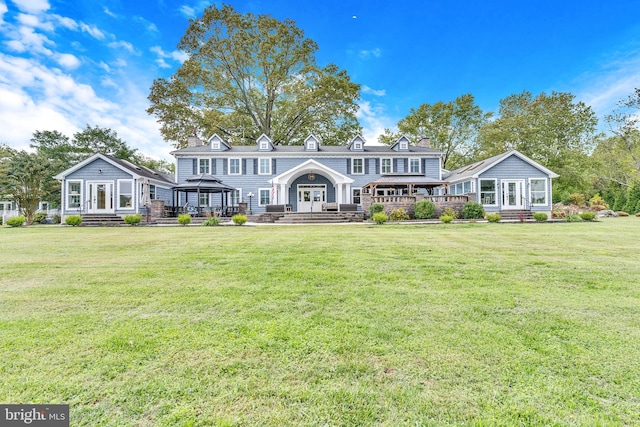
(247, 75)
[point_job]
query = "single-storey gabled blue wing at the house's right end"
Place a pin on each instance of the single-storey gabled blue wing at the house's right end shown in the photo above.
(509, 181)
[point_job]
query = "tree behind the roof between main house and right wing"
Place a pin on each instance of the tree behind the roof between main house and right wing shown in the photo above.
(452, 127)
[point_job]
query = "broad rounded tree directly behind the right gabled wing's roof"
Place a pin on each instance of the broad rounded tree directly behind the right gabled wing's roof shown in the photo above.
(553, 130)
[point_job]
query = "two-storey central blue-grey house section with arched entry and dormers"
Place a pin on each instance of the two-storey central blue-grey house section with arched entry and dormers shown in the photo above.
(308, 177)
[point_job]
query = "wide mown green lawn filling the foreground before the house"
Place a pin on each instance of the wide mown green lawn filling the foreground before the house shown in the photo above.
(462, 324)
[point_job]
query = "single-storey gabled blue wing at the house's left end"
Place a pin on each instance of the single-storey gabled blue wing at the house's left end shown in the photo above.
(103, 184)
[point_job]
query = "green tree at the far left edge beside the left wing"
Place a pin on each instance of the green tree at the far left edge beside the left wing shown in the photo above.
(25, 178)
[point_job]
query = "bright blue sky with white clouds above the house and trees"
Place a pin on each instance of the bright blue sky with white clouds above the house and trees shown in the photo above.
(68, 63)
